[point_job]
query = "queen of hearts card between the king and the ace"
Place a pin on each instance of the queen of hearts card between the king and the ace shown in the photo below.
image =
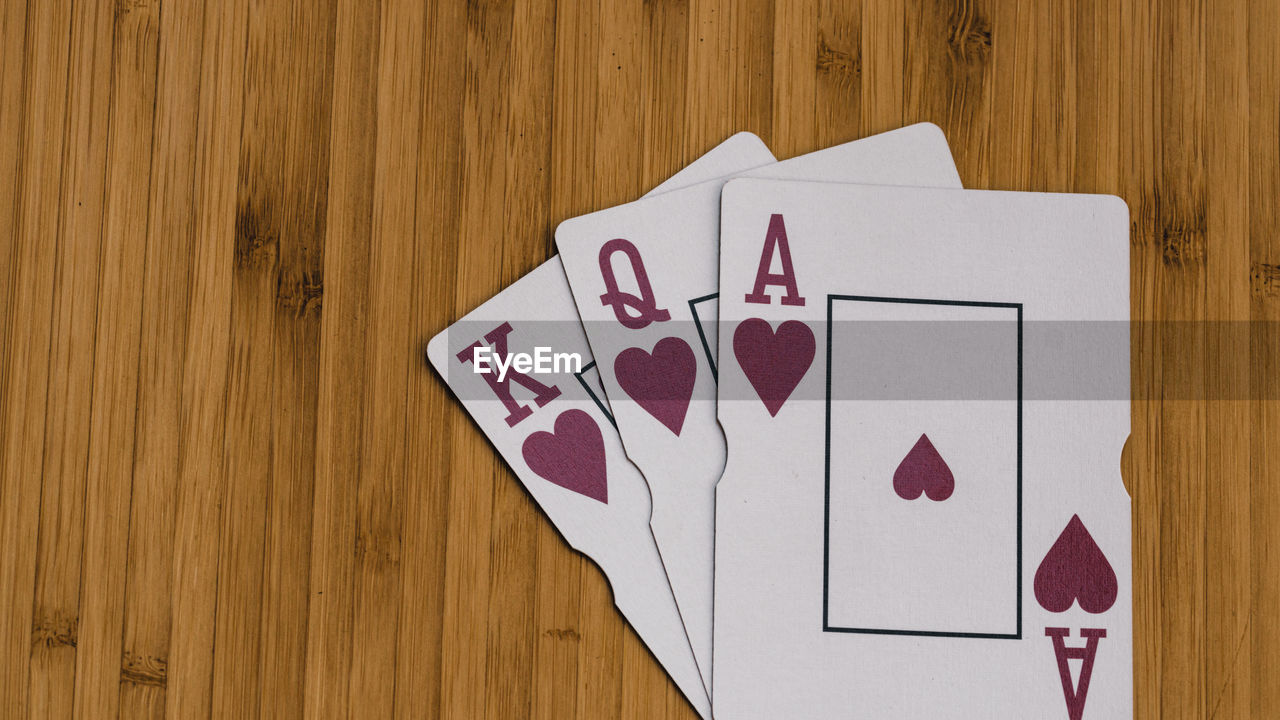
(644, 277)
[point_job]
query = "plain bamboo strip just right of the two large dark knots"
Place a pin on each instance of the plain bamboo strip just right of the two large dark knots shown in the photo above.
(341, 382)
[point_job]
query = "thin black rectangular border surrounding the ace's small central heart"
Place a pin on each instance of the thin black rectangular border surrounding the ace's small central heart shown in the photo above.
(826, 525)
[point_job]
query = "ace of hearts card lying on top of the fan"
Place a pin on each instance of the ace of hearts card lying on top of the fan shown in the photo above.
(922, 514)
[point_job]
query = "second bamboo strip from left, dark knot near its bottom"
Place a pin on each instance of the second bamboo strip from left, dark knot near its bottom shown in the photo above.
(67, 429)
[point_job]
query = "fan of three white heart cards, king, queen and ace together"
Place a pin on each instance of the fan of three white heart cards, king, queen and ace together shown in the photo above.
(844, 438)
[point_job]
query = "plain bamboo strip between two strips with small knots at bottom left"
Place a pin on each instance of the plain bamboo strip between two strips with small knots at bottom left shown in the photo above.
(117, 352)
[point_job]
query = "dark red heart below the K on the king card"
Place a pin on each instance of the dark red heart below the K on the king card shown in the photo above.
(573, 457)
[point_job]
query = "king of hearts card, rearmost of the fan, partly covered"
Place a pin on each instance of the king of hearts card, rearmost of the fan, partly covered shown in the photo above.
(561, 444)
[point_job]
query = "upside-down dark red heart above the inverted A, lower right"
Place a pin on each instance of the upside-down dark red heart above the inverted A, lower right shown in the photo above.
(1075, 569)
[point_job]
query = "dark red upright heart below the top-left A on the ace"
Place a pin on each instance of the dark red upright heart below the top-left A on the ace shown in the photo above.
(774, 362)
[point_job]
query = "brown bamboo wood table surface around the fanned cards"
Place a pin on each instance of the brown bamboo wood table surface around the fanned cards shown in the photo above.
(232, 487)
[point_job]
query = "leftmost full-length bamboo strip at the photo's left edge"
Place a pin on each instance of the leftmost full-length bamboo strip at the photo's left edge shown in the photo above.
(34, 253)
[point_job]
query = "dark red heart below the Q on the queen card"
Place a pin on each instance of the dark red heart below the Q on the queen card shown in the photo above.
(661, 382)
